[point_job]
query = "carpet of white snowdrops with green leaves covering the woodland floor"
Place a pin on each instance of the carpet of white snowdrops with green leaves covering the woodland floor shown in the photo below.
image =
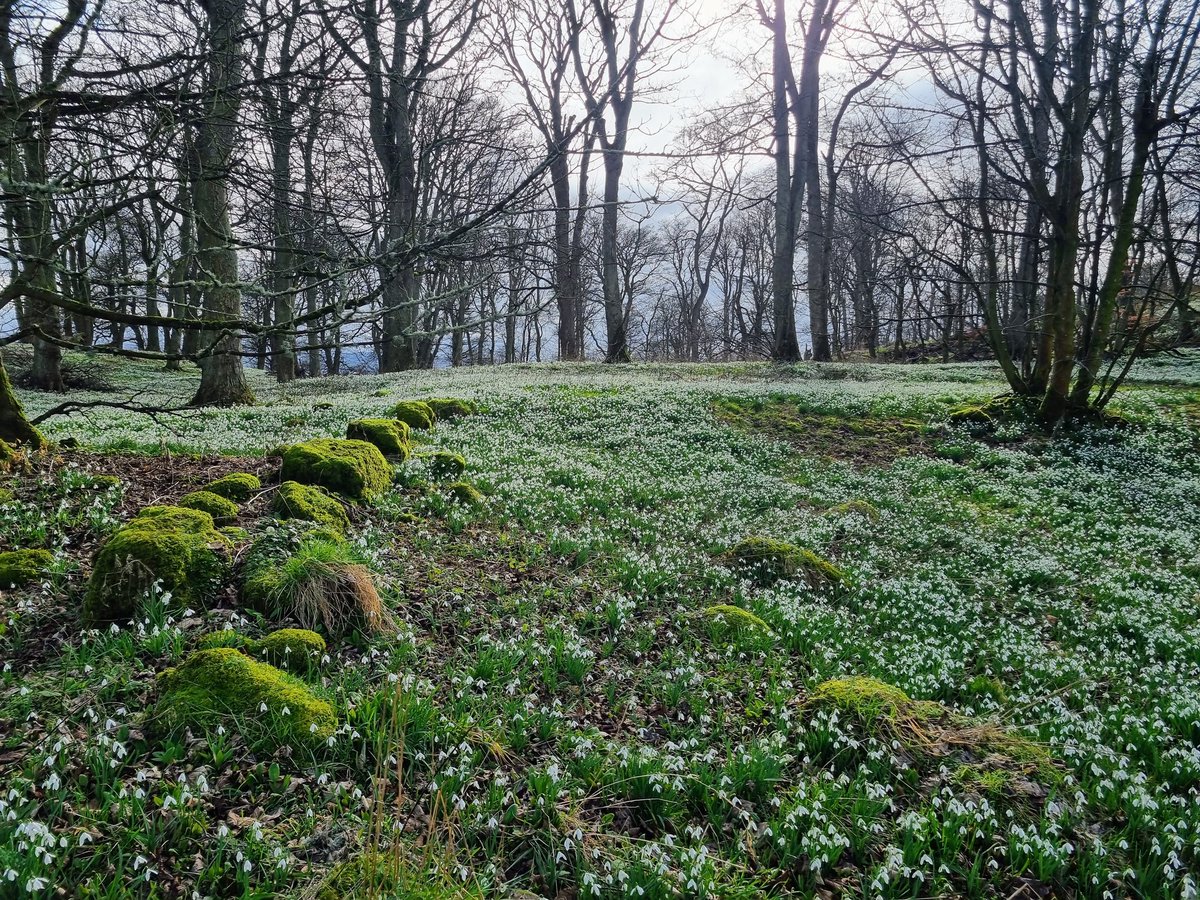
(572, 723)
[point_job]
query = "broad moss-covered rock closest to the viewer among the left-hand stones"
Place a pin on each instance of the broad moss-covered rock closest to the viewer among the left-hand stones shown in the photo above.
(224, 685)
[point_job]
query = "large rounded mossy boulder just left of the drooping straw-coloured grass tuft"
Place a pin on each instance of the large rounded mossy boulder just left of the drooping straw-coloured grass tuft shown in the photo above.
(177, 547)
